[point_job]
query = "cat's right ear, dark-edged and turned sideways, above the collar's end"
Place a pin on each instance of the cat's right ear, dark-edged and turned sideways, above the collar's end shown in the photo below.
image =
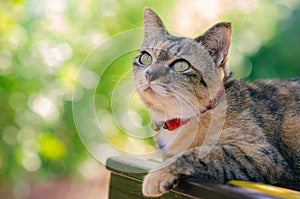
(217, 42)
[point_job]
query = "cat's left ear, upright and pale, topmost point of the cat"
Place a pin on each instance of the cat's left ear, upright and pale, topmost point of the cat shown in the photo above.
(153, 25)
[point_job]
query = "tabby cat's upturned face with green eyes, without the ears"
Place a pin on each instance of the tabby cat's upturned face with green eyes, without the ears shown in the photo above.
(169, 78)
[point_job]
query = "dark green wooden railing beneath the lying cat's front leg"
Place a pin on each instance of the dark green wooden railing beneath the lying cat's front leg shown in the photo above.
(127, 175)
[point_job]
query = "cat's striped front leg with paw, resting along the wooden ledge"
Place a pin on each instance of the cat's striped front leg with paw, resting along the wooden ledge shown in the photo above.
(222, 163)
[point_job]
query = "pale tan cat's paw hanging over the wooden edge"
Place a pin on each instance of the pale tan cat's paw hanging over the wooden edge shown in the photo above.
(158, 182)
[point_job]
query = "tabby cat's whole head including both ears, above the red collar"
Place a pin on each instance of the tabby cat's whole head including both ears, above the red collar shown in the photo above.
(176, 76)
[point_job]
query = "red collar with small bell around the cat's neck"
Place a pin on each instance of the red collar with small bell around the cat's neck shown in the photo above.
(175, 123)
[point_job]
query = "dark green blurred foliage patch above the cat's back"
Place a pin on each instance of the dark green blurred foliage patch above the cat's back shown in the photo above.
(280, 57)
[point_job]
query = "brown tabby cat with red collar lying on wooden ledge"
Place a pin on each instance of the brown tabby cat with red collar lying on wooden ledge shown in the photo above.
(210, 125)
